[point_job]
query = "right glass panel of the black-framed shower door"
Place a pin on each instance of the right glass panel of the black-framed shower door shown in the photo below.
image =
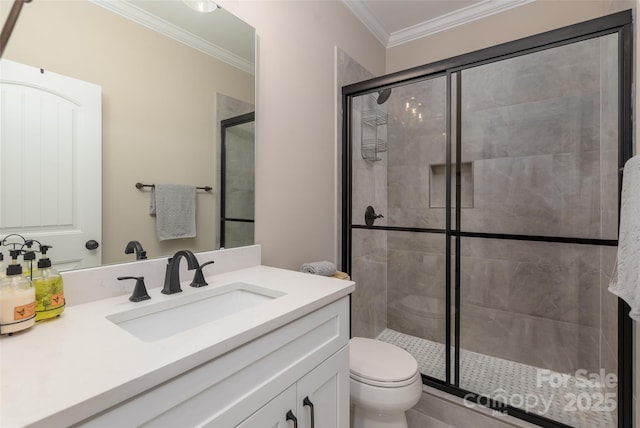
(539, 133)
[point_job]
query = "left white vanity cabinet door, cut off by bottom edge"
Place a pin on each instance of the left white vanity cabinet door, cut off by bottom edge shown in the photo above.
(277, 413)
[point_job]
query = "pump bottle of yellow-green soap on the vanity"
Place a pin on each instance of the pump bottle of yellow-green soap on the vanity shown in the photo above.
(49, 289)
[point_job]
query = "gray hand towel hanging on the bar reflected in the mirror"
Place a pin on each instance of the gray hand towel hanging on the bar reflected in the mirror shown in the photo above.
(174, 206)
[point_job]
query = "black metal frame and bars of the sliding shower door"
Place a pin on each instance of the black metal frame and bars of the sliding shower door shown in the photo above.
(619, 23)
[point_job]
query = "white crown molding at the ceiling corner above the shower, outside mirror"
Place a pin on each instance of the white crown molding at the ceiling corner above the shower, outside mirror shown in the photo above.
(450, 20)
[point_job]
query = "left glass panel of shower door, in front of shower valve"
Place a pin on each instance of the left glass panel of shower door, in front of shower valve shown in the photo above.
(399, 152)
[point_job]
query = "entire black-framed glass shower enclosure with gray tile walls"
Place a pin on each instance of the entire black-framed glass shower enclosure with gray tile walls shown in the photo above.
(495, 176)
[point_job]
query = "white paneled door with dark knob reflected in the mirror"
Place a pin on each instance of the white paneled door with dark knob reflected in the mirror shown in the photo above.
(50, 162)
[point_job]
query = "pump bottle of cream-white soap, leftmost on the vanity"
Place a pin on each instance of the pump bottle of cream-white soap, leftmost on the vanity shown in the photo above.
(17, 298)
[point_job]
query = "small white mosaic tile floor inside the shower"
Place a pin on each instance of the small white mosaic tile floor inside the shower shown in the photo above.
(564, 398)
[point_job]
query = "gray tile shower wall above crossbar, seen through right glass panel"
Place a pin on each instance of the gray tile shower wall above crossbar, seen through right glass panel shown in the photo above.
(532, 127)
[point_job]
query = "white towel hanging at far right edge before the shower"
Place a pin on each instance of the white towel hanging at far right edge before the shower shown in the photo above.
(625, 281)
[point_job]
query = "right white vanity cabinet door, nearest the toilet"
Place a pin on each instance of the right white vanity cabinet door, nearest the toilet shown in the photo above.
(323, 394)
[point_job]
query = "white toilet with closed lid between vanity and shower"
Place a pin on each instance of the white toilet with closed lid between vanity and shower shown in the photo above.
(384, 383)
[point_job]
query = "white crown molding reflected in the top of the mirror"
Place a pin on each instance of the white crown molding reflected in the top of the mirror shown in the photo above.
(174, 32)
